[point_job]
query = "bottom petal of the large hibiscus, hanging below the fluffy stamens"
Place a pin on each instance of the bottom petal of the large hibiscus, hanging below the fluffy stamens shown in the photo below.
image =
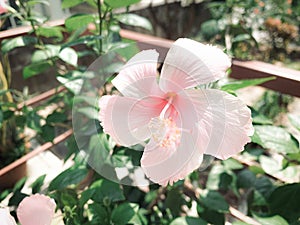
(167, 165)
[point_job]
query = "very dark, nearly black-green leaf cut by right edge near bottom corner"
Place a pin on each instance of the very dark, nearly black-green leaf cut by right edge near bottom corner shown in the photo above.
(284, 201)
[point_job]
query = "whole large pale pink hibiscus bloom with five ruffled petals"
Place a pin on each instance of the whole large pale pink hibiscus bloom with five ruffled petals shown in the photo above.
(177, 118)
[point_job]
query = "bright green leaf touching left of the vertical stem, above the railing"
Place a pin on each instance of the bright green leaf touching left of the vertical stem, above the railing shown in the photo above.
(79, 20)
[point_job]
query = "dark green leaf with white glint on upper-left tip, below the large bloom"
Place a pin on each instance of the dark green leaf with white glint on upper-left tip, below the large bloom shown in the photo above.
(214, 201)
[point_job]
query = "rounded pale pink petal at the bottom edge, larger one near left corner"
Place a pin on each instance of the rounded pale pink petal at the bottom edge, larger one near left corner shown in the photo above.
(36, 209)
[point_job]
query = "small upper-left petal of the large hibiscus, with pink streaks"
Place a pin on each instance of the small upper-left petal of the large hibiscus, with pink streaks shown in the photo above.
(138, 78)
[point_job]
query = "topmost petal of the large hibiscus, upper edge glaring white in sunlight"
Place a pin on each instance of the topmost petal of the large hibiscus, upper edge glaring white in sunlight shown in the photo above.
(190, 63)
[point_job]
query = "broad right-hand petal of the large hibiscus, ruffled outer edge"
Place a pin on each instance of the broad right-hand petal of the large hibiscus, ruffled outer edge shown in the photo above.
(223, 122)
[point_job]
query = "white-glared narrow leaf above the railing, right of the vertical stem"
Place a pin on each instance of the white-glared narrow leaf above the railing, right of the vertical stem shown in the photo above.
(134, 20)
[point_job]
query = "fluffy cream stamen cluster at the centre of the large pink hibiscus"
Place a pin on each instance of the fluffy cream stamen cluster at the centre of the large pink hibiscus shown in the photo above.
(164, 132)
